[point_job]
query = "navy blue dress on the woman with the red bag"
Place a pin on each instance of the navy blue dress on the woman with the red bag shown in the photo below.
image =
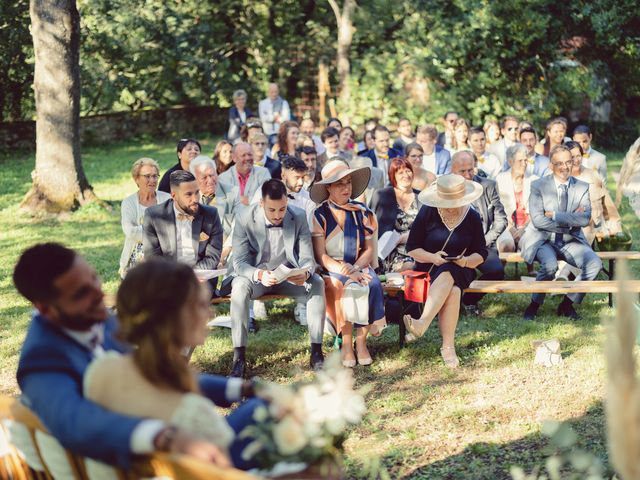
(429, 233)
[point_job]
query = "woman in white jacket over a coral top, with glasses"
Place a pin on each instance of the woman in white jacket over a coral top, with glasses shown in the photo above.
(514, 188)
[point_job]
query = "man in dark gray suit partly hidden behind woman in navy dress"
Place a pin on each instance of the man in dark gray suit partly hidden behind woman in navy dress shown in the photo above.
(494, 222)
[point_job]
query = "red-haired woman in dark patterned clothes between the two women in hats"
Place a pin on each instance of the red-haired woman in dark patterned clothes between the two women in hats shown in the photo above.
(396, 207)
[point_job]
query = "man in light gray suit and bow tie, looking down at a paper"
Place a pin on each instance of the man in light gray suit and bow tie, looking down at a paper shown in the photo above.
(266, 236)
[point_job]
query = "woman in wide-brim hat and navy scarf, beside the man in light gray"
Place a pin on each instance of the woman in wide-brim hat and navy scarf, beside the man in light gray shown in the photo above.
(344, 244)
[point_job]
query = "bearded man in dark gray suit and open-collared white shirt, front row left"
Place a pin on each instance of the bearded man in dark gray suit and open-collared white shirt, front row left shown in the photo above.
(182, 228)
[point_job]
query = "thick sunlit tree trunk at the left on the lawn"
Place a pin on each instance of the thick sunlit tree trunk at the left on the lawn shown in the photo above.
(59, 182)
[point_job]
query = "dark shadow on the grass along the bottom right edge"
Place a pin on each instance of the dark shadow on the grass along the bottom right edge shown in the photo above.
(492, 461)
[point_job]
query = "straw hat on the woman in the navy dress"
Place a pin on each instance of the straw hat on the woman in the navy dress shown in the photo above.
(450, 191)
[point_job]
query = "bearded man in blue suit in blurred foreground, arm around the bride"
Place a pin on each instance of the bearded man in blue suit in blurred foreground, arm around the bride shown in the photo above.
(72, 326)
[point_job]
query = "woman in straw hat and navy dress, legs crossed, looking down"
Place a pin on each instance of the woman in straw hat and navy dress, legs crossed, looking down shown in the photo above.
(447, 241)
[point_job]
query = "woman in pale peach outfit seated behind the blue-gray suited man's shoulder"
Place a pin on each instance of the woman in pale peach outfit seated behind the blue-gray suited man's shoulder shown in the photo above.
(605, 219)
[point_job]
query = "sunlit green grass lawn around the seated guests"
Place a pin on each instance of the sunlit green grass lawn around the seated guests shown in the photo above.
(424, 421)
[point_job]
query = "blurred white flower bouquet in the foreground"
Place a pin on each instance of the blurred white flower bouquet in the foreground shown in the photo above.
(305, 423)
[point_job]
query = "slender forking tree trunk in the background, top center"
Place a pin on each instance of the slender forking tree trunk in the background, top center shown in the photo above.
(345, 36)
